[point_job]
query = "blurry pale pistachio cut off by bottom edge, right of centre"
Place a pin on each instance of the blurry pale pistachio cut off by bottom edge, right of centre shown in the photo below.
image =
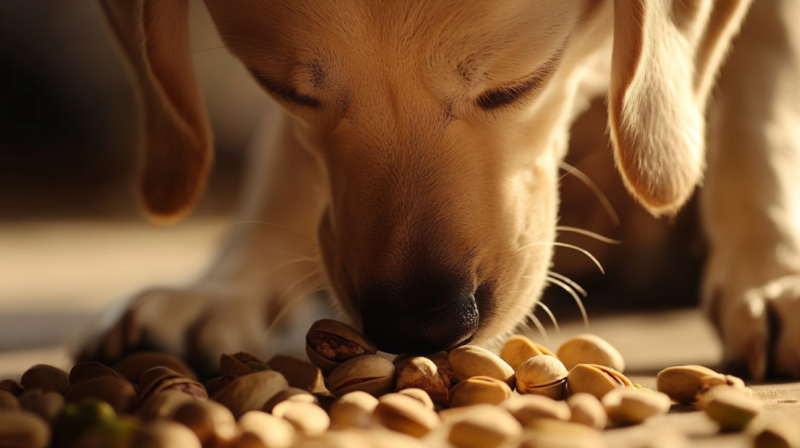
(548, 433)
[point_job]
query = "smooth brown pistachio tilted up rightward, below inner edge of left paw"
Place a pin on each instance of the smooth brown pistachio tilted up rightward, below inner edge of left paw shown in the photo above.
(250, 392)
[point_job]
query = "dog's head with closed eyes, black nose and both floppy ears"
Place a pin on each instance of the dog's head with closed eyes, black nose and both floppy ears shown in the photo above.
(438, 126)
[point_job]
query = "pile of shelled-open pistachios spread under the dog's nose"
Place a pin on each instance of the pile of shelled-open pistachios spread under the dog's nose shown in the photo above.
(350, 396)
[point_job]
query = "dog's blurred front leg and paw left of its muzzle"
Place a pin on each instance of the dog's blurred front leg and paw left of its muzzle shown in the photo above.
(268, 260)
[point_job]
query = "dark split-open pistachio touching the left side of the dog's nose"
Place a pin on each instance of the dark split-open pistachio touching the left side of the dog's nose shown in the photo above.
(329, 343)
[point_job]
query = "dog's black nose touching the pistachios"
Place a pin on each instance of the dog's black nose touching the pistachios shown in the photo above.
(423, 317)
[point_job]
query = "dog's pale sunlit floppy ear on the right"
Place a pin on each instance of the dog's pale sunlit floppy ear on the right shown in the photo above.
(665, 58)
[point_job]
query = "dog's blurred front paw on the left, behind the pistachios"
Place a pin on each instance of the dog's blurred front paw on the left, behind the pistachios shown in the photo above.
(194, 324)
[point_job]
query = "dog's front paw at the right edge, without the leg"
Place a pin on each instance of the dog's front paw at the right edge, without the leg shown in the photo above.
(760, 326)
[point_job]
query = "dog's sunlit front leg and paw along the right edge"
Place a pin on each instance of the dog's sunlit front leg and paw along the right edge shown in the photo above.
(751, 201)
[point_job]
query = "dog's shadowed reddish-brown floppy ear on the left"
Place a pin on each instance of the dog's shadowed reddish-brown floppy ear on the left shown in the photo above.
(176, 144)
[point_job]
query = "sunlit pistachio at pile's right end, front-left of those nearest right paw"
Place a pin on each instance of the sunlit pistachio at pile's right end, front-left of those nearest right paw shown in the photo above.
(633, 406)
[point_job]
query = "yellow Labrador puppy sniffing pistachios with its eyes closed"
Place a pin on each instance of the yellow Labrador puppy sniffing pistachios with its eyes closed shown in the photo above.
(413, 173)
